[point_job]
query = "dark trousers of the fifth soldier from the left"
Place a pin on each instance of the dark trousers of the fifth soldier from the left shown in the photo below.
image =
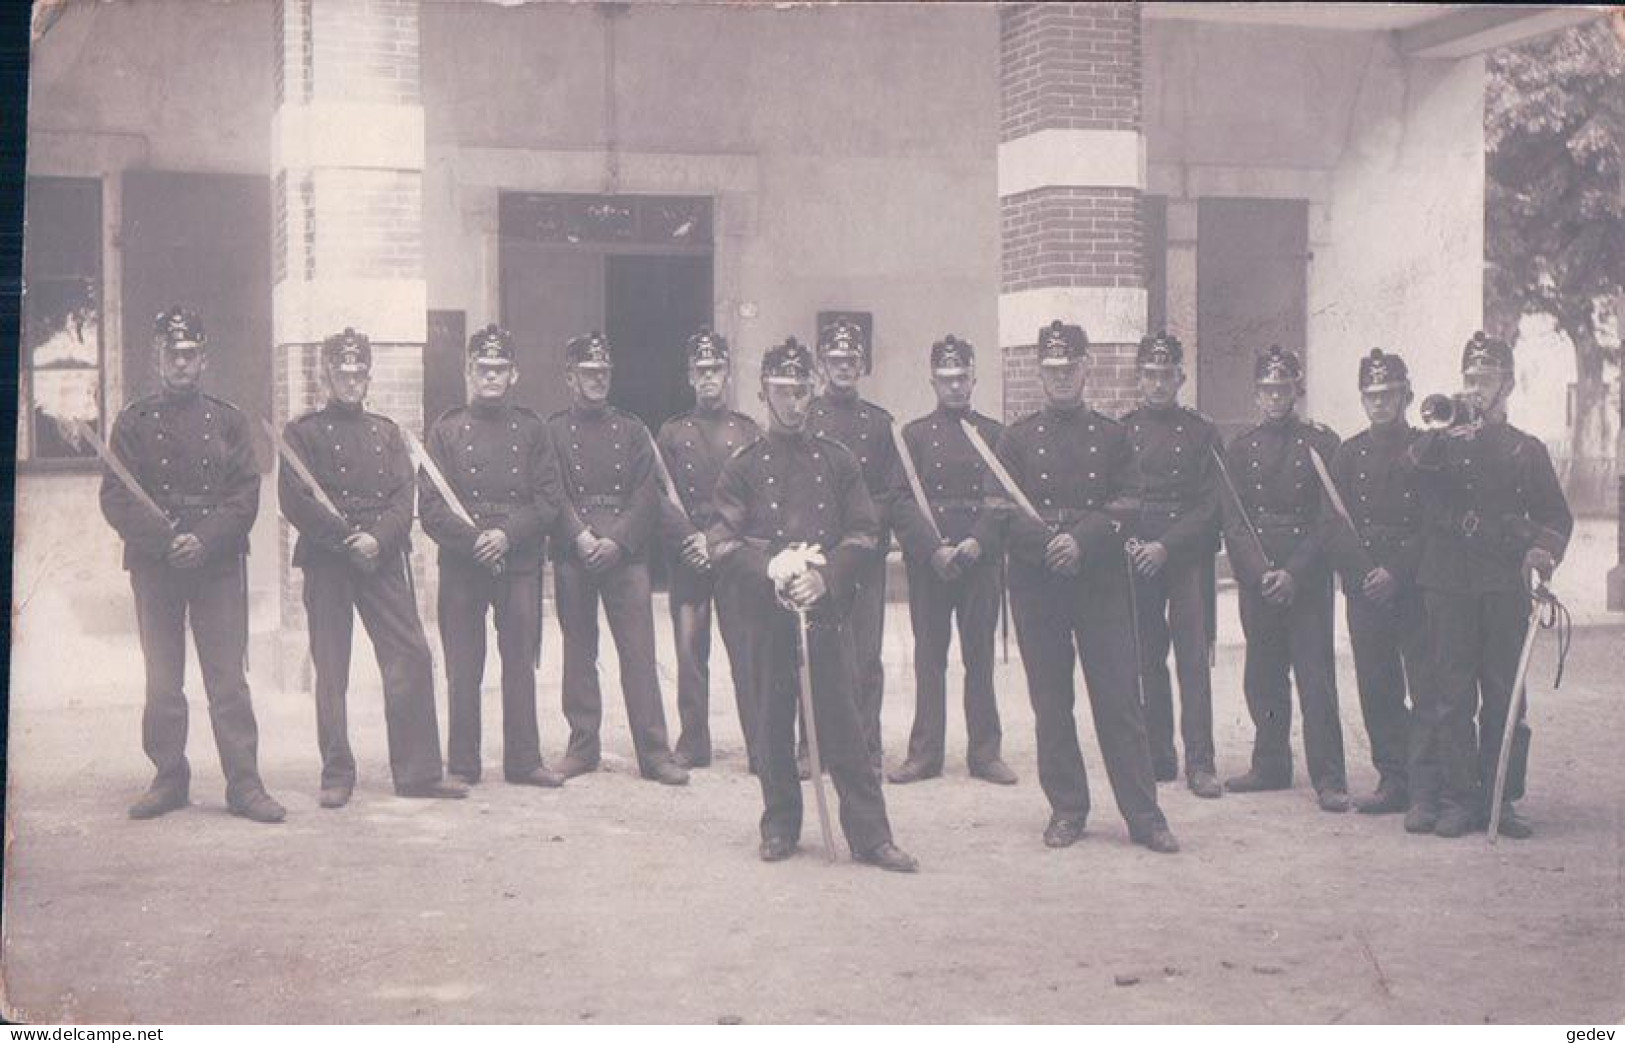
(691, 600)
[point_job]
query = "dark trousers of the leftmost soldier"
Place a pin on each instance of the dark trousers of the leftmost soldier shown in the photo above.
(219, 605)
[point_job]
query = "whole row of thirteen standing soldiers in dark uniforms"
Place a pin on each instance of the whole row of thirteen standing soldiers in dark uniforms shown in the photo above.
(1106, 529)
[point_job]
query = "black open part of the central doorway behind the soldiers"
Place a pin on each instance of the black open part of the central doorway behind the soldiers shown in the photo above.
(654, 305)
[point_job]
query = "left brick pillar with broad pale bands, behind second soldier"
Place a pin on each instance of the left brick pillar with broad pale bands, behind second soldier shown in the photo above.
(347, 180)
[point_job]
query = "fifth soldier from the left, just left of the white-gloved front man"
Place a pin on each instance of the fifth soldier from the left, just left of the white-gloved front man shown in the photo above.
(695, 446)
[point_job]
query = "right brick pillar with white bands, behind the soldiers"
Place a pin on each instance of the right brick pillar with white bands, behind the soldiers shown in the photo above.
(1072, 175)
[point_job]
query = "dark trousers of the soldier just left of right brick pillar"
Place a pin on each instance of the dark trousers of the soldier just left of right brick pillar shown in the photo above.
(934, 604)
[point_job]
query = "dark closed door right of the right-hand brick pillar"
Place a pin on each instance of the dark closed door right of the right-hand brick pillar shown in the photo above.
(1252, 292)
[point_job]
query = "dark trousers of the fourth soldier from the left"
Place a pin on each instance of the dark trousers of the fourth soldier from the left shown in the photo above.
(626, 597)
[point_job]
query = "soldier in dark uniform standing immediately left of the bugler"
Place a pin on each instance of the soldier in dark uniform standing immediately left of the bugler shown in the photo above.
(1379, 563)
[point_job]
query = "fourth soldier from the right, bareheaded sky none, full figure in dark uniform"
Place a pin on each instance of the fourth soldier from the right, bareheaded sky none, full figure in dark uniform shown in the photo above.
(1176, 539)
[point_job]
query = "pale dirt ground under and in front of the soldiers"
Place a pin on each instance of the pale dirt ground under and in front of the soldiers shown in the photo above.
(620, 901)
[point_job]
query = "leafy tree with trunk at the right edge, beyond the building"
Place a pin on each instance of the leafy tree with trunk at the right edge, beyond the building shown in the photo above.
(1556, 197)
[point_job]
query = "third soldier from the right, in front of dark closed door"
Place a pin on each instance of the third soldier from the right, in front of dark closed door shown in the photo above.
(1285, 587)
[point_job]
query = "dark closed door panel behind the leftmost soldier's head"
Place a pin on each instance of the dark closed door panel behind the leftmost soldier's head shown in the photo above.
(201, 241)
